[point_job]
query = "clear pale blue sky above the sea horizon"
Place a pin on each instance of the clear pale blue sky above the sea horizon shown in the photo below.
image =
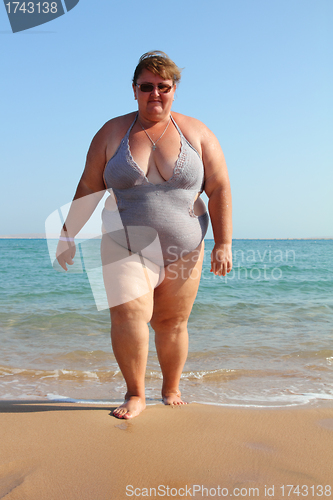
(258, 73)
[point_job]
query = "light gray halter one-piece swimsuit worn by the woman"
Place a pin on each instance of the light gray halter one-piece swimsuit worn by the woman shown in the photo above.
(165, 209)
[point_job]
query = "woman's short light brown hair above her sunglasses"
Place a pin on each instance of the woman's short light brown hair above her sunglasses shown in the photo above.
(159, 63)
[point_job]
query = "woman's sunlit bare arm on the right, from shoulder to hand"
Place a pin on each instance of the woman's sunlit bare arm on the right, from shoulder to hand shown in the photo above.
(217, 188)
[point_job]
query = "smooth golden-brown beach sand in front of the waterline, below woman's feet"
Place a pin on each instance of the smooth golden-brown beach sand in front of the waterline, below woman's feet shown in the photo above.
(53, 451)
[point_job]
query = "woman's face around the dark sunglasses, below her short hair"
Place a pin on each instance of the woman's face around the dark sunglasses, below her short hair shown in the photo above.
(154, 105)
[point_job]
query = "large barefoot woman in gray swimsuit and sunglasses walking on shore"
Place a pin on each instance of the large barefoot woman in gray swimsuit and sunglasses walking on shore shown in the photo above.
(155, 163)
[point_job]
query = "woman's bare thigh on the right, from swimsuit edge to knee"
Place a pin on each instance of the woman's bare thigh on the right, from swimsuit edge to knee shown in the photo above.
(174, 297)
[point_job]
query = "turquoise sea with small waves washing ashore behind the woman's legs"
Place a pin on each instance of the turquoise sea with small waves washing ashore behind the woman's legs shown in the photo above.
(262, 336)
